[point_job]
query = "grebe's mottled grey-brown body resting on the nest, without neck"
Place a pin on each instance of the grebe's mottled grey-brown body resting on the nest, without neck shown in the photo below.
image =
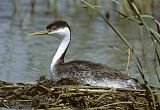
(94, 74)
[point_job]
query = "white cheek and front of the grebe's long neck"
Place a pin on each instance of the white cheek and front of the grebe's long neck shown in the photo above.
(65, 33)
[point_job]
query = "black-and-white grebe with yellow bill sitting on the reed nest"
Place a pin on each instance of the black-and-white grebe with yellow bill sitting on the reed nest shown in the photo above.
(92, 73)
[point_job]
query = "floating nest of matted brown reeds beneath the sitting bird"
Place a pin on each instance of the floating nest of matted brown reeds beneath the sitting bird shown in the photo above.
(69, 94)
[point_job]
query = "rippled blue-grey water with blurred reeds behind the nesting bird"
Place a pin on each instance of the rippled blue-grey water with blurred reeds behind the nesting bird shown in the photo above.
(24, 58)
